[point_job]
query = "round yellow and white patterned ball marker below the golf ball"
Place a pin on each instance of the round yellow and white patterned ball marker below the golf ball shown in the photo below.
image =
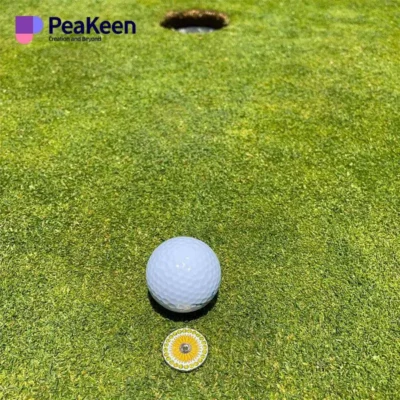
(185, 349)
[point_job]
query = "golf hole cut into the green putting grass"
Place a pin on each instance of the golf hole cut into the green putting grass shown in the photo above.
(195, 21)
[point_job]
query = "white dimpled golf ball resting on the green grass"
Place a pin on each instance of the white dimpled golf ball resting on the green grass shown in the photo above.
(183, 274)
